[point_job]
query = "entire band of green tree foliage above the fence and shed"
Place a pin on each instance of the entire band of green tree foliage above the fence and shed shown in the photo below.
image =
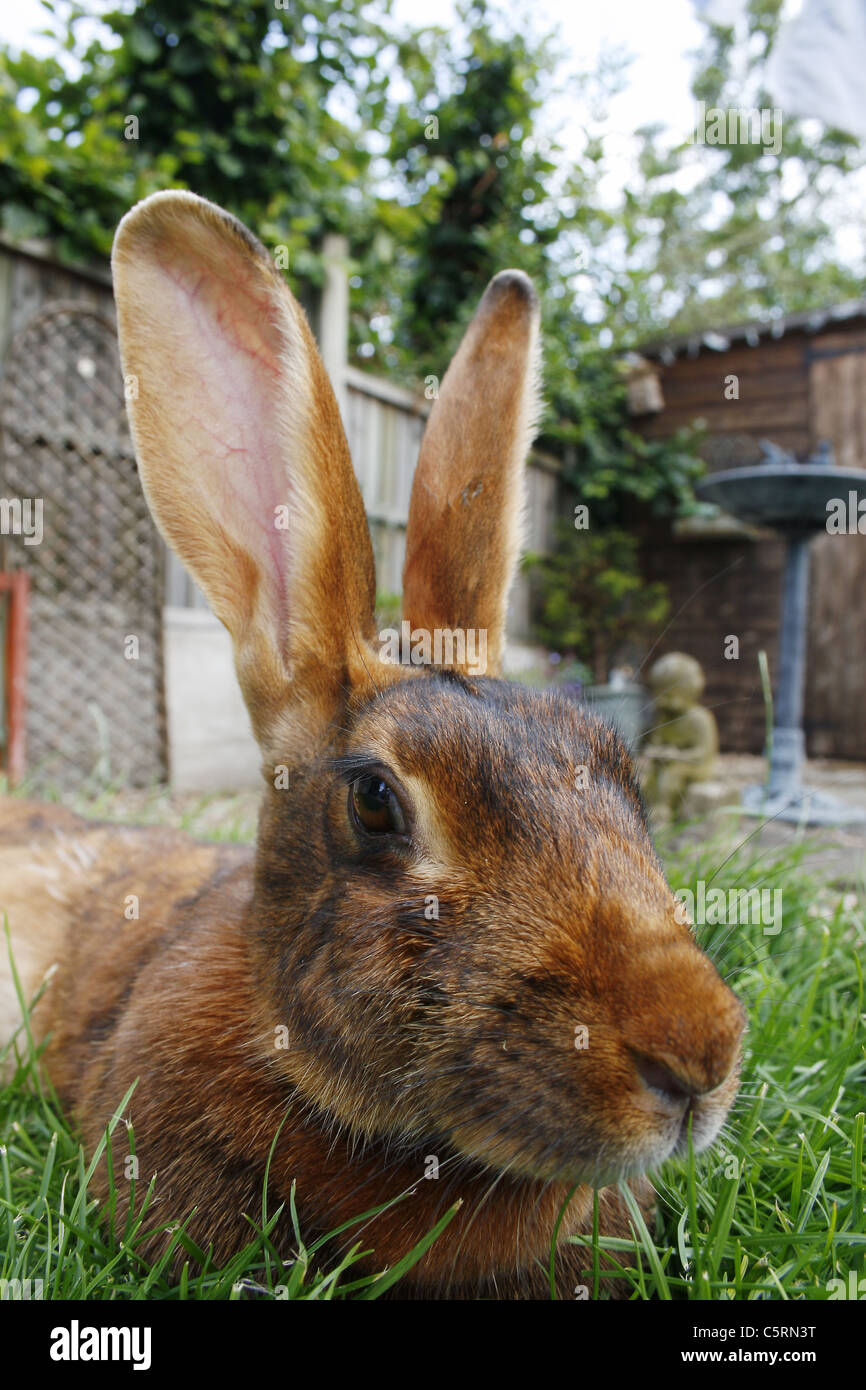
(432, 151)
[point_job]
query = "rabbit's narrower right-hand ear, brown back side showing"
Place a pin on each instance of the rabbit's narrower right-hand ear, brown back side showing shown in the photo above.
(466, 512)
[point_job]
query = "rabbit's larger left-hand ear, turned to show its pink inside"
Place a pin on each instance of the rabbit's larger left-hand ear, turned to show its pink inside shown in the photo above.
(241, 451)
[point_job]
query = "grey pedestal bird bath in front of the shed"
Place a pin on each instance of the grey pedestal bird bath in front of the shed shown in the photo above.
(794, 501)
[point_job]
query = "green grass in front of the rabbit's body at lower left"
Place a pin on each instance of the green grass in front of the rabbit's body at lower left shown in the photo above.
(56, 1236)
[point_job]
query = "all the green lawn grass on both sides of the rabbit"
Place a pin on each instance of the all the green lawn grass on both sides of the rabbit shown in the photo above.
(776, 1210)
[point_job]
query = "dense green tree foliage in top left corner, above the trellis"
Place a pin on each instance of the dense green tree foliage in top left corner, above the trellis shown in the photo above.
(236, 102)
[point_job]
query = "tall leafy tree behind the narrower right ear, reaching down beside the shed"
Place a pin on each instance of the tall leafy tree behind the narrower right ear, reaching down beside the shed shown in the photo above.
(482, 188)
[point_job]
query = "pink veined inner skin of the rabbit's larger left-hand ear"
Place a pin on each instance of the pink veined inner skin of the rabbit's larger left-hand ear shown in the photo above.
(223, 429)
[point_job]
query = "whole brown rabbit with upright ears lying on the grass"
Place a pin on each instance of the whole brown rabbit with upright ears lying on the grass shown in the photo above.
(454, 949)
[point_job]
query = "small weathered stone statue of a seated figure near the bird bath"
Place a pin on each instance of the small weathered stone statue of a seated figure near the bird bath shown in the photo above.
(683, 744)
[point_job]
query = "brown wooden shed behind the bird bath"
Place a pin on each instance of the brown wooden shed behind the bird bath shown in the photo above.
(794, 382)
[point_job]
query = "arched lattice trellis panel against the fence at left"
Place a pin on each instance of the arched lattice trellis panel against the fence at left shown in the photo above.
(95, 711)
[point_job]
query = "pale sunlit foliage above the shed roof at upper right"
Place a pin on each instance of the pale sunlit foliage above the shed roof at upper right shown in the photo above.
(725, 234)
